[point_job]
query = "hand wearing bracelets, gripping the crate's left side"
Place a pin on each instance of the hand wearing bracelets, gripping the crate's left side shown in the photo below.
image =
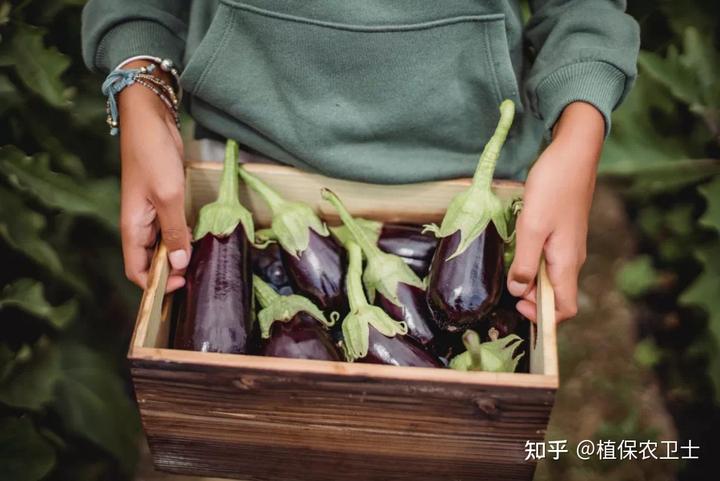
(152, 185)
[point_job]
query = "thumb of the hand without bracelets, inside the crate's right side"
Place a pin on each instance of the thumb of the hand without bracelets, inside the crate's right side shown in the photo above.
(529, 247)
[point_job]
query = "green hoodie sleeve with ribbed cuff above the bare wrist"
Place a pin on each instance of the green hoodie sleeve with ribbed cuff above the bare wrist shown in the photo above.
(585, 50)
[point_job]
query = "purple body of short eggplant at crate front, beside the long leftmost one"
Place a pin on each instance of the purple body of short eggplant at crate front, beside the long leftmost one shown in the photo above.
(302, 337)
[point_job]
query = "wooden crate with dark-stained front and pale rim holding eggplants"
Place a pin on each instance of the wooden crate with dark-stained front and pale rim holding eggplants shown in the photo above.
(270, 419)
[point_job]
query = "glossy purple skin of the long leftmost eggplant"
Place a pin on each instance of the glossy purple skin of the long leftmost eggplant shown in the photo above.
(217, 312)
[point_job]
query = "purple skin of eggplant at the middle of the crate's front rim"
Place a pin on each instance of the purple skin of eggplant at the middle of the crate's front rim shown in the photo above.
(397, 351)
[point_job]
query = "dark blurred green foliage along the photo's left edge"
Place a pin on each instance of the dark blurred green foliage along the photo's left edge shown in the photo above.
(65, 408)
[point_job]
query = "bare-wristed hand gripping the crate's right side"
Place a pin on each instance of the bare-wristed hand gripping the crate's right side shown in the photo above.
(556, 207)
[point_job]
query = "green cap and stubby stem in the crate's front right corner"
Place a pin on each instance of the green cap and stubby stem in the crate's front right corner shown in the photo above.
(496, 355)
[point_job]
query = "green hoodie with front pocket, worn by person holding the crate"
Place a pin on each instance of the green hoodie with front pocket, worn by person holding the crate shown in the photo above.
(386, 91)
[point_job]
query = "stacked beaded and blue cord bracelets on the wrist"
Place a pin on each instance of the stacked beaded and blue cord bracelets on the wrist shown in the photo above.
(120, 78)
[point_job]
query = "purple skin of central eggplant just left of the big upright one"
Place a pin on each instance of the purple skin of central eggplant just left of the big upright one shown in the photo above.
(413, 311)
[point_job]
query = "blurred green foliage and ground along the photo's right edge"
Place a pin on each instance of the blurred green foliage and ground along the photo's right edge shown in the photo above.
(664, 154)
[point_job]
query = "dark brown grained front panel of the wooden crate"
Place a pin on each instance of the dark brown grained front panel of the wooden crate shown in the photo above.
(269, 426)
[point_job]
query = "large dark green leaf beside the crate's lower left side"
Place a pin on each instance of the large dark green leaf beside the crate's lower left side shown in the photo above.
(93, 404)
